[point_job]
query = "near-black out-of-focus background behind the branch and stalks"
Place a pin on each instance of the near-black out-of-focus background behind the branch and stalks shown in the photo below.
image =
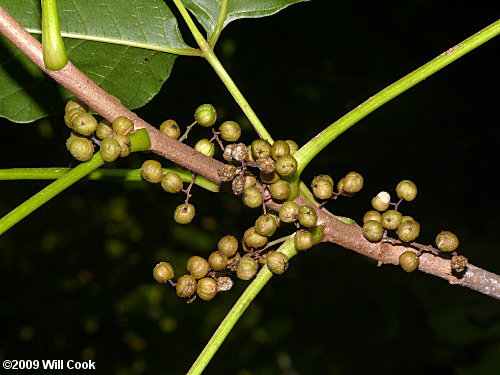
(76, 275)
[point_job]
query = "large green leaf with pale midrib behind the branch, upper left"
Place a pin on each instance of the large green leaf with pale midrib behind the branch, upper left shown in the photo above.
(119, 44)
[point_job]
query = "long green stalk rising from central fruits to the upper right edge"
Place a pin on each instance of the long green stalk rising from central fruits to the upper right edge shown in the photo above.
(305, 154)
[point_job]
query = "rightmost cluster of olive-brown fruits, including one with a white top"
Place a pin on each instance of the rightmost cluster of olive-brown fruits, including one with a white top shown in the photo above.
(378, 221)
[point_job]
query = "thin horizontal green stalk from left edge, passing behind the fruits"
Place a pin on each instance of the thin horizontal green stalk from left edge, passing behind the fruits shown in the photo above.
(128, 175)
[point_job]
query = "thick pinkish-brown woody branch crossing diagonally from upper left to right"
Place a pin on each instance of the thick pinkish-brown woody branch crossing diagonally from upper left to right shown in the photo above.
(347, 235)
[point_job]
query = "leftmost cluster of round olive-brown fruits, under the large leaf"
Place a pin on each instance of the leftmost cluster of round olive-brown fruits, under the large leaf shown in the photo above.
(86, 131)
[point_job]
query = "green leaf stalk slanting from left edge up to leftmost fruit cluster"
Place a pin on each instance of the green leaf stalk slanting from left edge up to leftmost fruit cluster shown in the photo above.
(46, 194)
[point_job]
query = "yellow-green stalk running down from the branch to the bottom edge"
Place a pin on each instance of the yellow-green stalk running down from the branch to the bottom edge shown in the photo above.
(238, 309)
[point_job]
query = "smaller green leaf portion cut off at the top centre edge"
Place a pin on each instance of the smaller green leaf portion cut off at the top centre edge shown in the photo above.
(207, 11)
